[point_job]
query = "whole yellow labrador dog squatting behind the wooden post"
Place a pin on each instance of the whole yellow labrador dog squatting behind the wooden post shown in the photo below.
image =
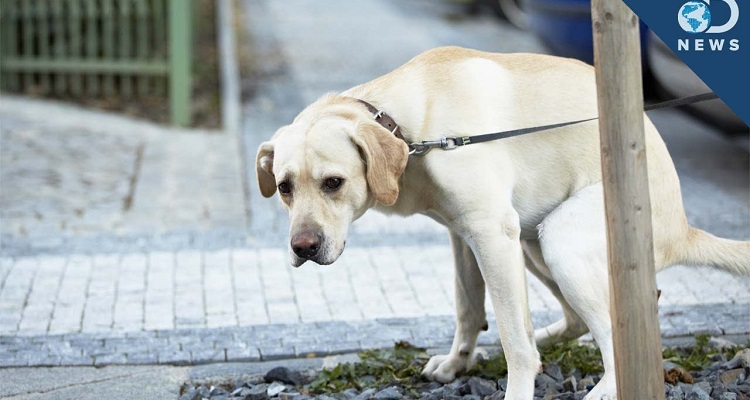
(532, 201)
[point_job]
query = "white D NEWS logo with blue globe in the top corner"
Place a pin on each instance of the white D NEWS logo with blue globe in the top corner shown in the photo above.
(694, 17)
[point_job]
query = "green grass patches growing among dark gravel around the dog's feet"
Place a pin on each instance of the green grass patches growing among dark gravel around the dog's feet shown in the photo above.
(403, 365)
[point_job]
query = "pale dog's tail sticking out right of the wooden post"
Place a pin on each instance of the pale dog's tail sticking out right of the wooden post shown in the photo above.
(703, 248)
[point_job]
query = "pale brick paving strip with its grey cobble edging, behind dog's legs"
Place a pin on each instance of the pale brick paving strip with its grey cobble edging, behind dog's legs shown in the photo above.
(192, 306)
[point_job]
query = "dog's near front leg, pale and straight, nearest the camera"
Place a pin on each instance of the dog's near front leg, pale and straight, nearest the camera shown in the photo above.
(496, 243)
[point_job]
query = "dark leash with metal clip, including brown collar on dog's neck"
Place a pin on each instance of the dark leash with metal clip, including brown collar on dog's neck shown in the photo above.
(452, 142)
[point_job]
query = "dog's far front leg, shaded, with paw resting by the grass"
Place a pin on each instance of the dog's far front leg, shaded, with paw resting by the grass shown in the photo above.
(469, 291)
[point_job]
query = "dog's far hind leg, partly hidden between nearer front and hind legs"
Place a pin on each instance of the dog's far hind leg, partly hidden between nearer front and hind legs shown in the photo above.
(570, 326)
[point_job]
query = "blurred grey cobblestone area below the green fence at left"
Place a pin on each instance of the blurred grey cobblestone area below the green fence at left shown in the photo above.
(73, 175)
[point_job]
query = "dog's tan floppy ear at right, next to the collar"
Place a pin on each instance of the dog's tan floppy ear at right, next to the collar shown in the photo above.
(385, 157)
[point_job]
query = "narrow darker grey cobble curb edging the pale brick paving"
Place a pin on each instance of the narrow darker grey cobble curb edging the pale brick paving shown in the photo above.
(285, 341)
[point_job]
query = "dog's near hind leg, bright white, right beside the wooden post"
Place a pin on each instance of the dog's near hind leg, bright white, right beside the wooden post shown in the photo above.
(574, 246)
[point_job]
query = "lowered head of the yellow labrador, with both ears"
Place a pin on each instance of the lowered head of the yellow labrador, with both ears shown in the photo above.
(329, 166)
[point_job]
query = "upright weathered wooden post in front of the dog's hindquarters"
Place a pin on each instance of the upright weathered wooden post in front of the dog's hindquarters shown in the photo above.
(635, 322)
